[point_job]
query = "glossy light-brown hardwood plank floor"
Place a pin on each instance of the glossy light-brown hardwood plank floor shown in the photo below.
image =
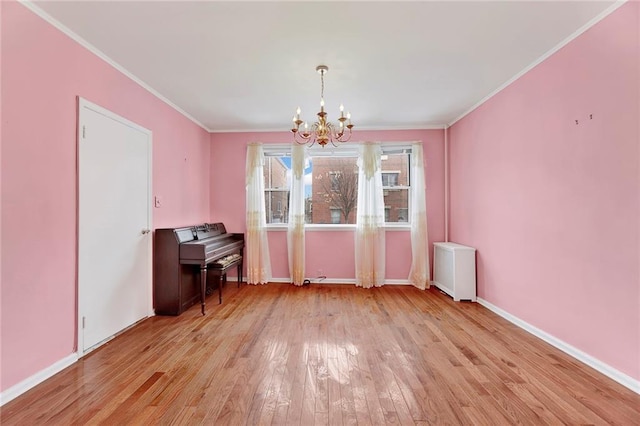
(327, 354)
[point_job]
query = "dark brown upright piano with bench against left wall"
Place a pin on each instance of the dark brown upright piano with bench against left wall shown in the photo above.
(184, 258)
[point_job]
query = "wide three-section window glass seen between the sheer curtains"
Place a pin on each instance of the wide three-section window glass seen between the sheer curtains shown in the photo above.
(331, 184)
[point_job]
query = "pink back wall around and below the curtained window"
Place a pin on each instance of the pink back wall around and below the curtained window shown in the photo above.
(331, 251)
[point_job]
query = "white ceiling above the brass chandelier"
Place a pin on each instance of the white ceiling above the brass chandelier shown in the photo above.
(243, 66)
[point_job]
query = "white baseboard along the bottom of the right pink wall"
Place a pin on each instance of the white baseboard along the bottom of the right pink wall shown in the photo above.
(596, 364)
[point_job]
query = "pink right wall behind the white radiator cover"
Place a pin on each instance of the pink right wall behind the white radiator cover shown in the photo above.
(553, 207)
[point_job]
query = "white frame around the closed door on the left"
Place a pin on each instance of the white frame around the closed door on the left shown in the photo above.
(84, 105)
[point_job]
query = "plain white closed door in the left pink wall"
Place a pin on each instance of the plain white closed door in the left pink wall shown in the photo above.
(114, 218)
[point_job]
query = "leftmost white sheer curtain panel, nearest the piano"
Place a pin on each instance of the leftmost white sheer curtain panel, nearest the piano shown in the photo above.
(257, 247)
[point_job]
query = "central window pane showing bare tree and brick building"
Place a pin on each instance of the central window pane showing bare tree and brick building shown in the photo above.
(334, 193)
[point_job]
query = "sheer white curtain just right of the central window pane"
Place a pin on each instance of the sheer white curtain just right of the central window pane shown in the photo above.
(370, 241)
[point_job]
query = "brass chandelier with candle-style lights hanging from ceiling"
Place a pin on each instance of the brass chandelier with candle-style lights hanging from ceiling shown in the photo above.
(322, 131)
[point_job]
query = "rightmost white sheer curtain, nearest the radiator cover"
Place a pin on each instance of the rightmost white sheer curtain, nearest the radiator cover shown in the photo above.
(419, 273)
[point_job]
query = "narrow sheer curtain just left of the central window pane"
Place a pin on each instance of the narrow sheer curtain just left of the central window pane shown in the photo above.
(295, 230)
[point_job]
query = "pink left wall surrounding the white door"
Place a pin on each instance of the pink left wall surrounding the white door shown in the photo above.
(42, 73)
